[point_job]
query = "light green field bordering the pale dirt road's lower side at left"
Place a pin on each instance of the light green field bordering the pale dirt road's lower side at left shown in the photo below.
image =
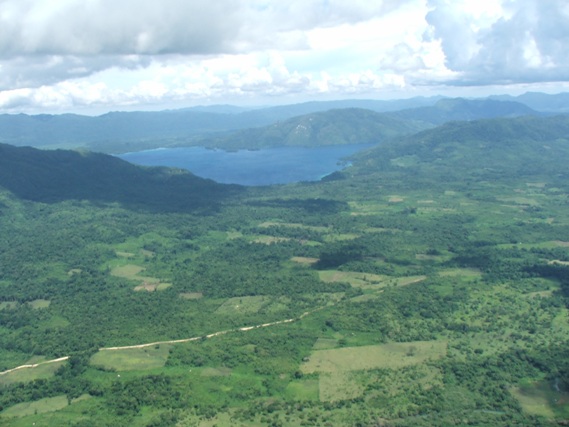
(132, 359)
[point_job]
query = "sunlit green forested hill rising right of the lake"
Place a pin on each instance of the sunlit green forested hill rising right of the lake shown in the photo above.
(494, 149)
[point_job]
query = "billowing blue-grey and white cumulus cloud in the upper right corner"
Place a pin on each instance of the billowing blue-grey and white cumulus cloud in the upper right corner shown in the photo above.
(522, 41)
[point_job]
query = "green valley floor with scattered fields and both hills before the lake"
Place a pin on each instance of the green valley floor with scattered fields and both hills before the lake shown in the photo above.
(426, 285)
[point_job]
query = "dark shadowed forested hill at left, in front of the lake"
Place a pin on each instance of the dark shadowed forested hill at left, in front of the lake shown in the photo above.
(51, 176)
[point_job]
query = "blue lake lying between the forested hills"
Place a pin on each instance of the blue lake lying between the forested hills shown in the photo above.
(258, 167)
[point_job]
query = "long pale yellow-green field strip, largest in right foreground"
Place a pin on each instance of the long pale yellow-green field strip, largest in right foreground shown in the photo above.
(391, 356)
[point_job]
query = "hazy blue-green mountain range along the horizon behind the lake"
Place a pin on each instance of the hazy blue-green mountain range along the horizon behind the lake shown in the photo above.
(232, 127)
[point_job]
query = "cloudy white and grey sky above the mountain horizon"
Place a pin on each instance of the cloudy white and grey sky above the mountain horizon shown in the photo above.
(94, 56)
